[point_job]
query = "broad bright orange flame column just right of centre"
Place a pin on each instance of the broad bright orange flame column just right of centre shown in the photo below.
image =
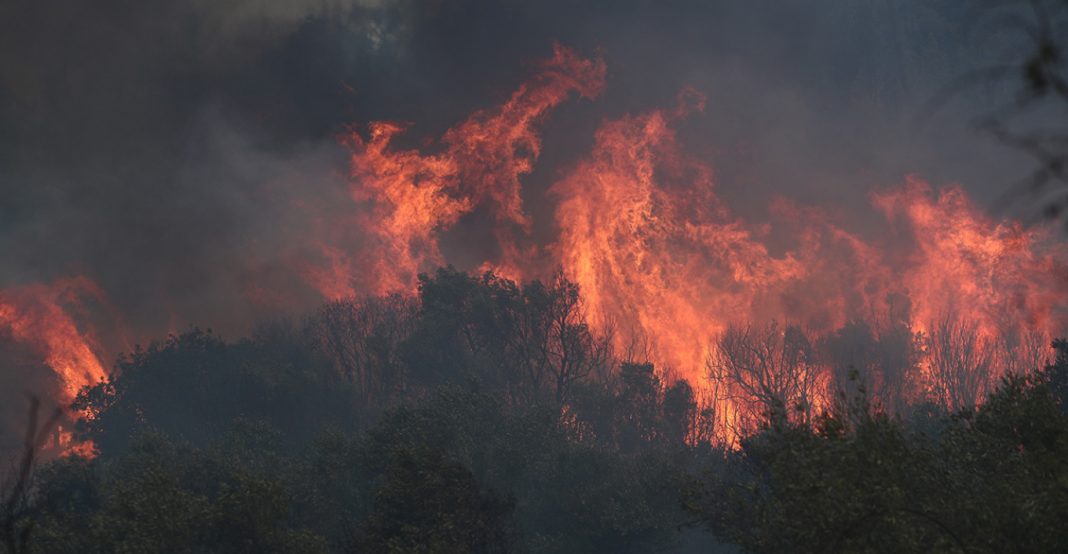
(653, 249)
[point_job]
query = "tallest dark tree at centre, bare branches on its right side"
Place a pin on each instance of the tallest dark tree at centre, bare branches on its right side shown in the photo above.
(530, 342)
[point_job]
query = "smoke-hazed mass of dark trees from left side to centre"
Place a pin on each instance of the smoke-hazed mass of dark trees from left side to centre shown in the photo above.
(486, 421)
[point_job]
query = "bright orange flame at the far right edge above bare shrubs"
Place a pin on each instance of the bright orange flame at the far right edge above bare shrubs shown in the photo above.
(998, 275)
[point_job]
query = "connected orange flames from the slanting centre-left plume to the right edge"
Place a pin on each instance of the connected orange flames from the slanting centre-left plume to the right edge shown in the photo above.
(664, 263)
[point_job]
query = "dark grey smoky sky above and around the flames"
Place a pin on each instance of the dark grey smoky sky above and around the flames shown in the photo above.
(172, 151)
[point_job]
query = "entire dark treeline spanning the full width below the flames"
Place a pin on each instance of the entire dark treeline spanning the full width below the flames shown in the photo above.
(486, 417)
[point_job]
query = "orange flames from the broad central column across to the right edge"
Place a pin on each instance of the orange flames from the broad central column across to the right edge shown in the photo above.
(659, 257)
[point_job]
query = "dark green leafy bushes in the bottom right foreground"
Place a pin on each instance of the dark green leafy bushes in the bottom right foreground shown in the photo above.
(996, 481)
